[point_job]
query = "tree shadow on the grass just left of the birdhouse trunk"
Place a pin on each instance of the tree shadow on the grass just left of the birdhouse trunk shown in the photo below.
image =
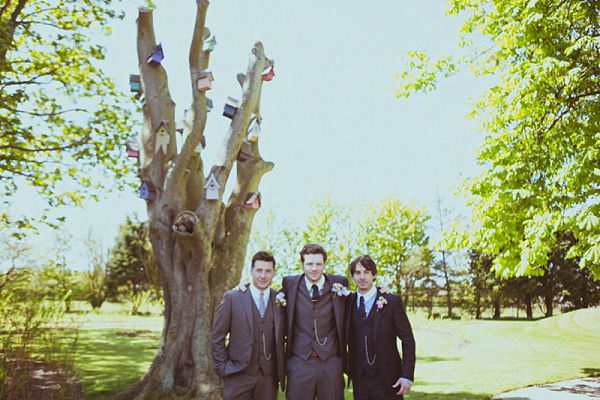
(108, 361)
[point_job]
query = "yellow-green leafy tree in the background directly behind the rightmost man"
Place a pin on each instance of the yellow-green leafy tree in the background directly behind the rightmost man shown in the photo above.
(391, 232)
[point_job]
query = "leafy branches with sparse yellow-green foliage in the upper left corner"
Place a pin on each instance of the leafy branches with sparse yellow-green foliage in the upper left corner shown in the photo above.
(61, 117)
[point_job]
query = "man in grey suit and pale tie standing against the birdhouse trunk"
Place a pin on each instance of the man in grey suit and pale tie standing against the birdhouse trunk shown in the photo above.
(252, 362)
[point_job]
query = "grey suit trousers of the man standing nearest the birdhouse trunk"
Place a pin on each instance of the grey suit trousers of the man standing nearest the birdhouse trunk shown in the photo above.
(242, 386)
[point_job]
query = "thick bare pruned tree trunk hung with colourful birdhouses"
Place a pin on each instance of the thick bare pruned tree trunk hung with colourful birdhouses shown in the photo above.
(199, 245)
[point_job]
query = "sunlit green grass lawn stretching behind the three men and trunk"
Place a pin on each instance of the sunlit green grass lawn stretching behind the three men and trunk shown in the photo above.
(456, 360)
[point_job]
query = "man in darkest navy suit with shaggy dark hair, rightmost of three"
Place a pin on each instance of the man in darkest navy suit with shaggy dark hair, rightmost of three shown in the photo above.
(374, 321)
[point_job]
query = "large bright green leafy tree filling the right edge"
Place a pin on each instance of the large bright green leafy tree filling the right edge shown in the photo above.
(541, 124)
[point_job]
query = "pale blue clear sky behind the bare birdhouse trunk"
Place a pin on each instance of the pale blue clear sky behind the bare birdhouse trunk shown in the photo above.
(331, 124)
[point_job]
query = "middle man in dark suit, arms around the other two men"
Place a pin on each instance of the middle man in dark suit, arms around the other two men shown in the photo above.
(315, 316)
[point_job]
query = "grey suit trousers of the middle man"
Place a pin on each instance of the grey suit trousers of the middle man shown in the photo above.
(314, 377)
